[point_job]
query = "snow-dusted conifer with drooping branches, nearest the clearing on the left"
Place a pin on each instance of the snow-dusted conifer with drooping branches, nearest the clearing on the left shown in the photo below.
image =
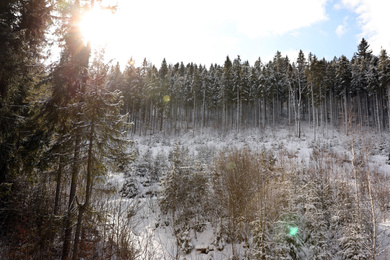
(103, 133)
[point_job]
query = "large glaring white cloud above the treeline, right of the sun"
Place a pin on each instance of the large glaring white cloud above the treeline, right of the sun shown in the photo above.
(205, 31)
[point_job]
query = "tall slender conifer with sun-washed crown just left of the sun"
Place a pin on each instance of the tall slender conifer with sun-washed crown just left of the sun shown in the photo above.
(70, 78)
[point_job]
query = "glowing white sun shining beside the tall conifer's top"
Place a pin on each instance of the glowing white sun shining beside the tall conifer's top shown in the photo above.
(97, 26)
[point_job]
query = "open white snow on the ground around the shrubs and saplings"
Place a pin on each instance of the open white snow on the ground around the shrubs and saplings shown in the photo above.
(154, 234)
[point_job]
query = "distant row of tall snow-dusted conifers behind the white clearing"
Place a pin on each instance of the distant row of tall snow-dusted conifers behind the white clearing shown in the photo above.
(237, 95)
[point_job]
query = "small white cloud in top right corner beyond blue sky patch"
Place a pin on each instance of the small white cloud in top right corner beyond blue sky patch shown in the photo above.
(374, 19)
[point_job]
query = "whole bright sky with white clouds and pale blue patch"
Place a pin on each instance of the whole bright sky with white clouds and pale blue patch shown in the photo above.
(206, 31)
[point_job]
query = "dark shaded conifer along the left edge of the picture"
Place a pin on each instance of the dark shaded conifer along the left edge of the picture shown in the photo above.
(23, 28)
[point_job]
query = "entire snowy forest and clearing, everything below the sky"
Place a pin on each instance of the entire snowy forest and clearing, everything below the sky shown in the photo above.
(281, 159)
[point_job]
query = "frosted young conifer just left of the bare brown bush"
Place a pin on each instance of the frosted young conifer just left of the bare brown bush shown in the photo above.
(184, 197)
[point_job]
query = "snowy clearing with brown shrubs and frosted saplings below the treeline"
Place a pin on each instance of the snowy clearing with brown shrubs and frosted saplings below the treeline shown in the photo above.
(322, 174)
